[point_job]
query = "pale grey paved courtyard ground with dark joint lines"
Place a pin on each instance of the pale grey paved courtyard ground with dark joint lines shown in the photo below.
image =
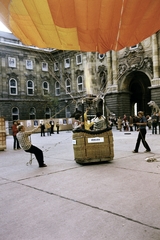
(119, 200)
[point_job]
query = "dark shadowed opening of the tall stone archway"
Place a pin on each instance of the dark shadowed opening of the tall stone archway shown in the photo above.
(140, 94)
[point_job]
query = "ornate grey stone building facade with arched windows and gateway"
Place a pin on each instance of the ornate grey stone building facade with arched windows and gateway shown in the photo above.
(38, 84)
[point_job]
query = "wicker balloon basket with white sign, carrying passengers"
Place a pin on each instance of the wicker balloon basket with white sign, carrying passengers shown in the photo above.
(93, 146)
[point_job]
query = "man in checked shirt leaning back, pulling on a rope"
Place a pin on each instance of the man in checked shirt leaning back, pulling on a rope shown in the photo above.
(23, 138)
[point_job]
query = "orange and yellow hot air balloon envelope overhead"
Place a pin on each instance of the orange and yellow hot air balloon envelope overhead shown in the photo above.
(83, 25)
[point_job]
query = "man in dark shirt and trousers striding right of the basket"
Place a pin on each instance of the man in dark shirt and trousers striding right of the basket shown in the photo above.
(142, 133)
